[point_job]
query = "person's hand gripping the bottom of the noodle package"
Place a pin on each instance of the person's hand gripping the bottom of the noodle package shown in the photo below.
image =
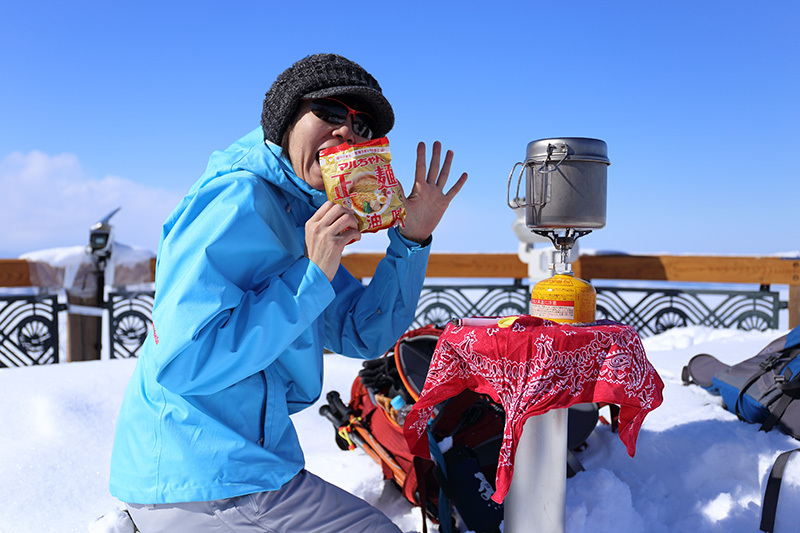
(328, 231)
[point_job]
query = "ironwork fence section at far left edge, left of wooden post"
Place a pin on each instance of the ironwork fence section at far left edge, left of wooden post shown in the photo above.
(29, 330)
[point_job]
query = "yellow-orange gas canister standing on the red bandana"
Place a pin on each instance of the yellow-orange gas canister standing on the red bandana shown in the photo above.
(564, 298)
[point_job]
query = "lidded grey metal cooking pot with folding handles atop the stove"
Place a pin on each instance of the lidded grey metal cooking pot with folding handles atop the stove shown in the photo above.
(565, 183)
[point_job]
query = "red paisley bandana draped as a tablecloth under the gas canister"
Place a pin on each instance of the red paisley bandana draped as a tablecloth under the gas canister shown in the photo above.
(534, 366)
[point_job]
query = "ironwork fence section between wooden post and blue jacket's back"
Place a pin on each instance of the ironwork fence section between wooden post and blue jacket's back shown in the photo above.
(130, 320)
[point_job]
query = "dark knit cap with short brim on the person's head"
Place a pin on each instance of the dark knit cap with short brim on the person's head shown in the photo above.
(317, 76)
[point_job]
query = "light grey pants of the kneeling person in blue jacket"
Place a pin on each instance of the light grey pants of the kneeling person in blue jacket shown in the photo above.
(306, 504)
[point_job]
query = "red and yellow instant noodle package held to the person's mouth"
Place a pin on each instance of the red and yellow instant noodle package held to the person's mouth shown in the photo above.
(360, 177)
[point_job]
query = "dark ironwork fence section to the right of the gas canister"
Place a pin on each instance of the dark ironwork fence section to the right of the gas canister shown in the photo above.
(653, 311)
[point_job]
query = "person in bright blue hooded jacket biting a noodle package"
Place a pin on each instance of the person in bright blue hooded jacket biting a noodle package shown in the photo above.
(249, 292)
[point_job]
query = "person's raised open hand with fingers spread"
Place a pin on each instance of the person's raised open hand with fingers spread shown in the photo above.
(427, 202)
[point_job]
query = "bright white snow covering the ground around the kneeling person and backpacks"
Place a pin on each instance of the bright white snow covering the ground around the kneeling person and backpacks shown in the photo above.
(697, 468)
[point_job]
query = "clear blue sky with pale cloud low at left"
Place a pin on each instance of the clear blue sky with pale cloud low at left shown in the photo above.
(120, 104)
